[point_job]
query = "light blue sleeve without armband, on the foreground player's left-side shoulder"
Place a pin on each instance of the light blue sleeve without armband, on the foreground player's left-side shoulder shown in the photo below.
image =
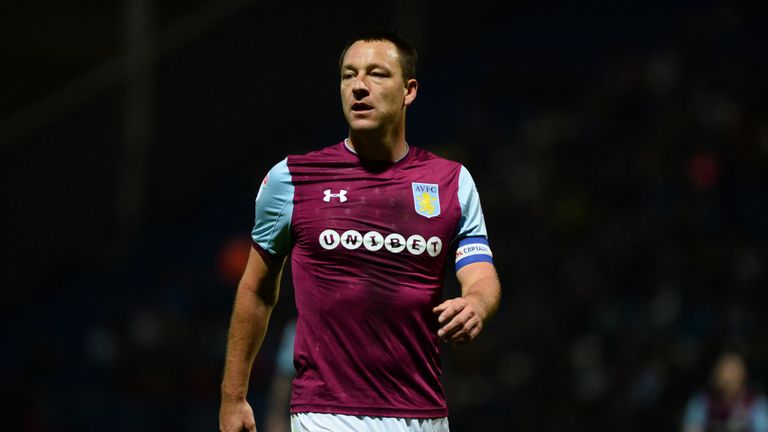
(274, 209)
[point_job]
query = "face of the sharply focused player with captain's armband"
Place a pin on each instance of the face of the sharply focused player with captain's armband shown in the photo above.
(373, 93)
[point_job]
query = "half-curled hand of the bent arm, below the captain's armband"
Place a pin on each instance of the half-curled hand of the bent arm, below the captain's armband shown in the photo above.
(460, 320)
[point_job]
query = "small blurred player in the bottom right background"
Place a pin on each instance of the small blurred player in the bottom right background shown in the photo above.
(729, 405)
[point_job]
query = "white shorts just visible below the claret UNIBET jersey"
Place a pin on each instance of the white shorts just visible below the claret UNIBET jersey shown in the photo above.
(316, 422)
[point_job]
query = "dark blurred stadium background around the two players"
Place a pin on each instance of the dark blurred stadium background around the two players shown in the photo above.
(620, 150)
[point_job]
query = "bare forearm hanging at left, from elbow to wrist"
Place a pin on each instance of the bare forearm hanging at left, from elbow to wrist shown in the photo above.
(248, 326)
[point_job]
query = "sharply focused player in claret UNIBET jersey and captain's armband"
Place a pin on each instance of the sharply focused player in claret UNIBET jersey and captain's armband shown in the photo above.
(369, 223)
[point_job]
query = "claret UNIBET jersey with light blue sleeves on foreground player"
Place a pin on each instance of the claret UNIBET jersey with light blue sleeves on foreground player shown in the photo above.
(368, 244)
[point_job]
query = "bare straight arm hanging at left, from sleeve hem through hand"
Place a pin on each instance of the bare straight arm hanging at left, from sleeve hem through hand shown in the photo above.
(256, 296)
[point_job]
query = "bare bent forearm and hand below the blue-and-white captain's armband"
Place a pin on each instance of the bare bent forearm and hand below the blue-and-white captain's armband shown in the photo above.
(461, 319)
